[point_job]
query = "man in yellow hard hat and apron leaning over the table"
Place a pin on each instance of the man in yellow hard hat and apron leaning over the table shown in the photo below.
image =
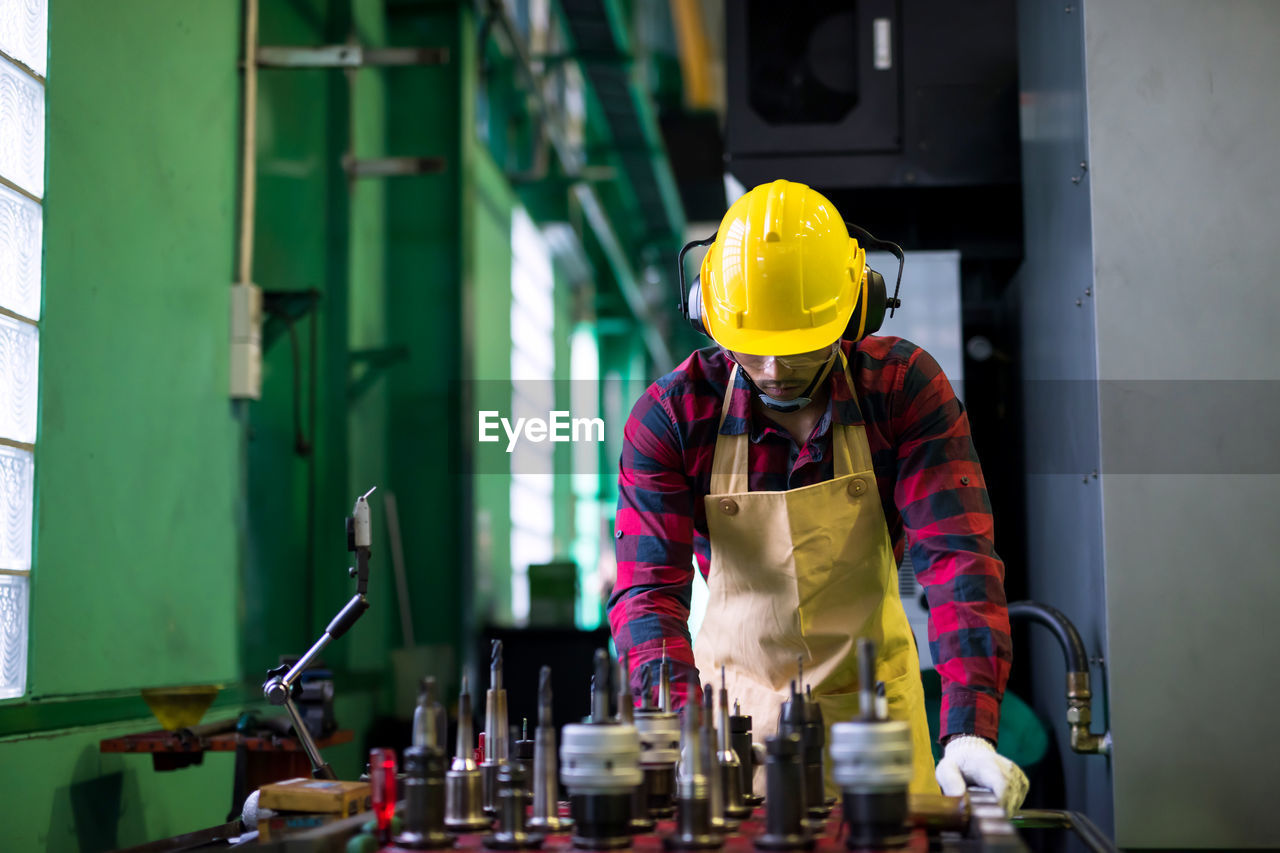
(789, 460)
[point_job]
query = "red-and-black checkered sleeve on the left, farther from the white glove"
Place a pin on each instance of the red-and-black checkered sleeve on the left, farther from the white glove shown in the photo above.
(655, 533)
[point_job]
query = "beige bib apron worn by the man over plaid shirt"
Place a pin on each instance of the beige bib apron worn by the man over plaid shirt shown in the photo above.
(803, 574)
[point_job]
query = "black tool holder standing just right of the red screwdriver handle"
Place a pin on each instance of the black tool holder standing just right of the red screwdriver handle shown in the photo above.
(424, 779)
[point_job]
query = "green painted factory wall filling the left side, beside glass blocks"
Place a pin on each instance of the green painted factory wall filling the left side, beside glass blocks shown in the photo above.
(182, 539)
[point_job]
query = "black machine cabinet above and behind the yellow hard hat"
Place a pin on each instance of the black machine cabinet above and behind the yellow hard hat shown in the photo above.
(874, 93)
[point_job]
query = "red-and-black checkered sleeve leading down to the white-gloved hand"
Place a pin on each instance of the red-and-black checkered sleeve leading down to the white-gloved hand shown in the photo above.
(947, 514)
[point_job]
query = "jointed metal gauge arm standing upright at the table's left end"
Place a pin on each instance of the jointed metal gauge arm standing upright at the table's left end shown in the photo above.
(282, 685)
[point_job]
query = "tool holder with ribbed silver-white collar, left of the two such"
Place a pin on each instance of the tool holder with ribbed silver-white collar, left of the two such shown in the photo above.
(601, 768)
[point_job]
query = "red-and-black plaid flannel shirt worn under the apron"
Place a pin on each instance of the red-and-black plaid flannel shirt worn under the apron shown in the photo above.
(930, 482)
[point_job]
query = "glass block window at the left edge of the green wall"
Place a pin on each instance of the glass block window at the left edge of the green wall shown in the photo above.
(24, 49)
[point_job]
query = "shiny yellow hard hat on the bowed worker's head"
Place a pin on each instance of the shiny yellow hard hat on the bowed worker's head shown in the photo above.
(784, 276)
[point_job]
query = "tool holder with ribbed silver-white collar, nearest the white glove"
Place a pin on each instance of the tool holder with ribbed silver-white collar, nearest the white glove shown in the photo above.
(872, 760)
